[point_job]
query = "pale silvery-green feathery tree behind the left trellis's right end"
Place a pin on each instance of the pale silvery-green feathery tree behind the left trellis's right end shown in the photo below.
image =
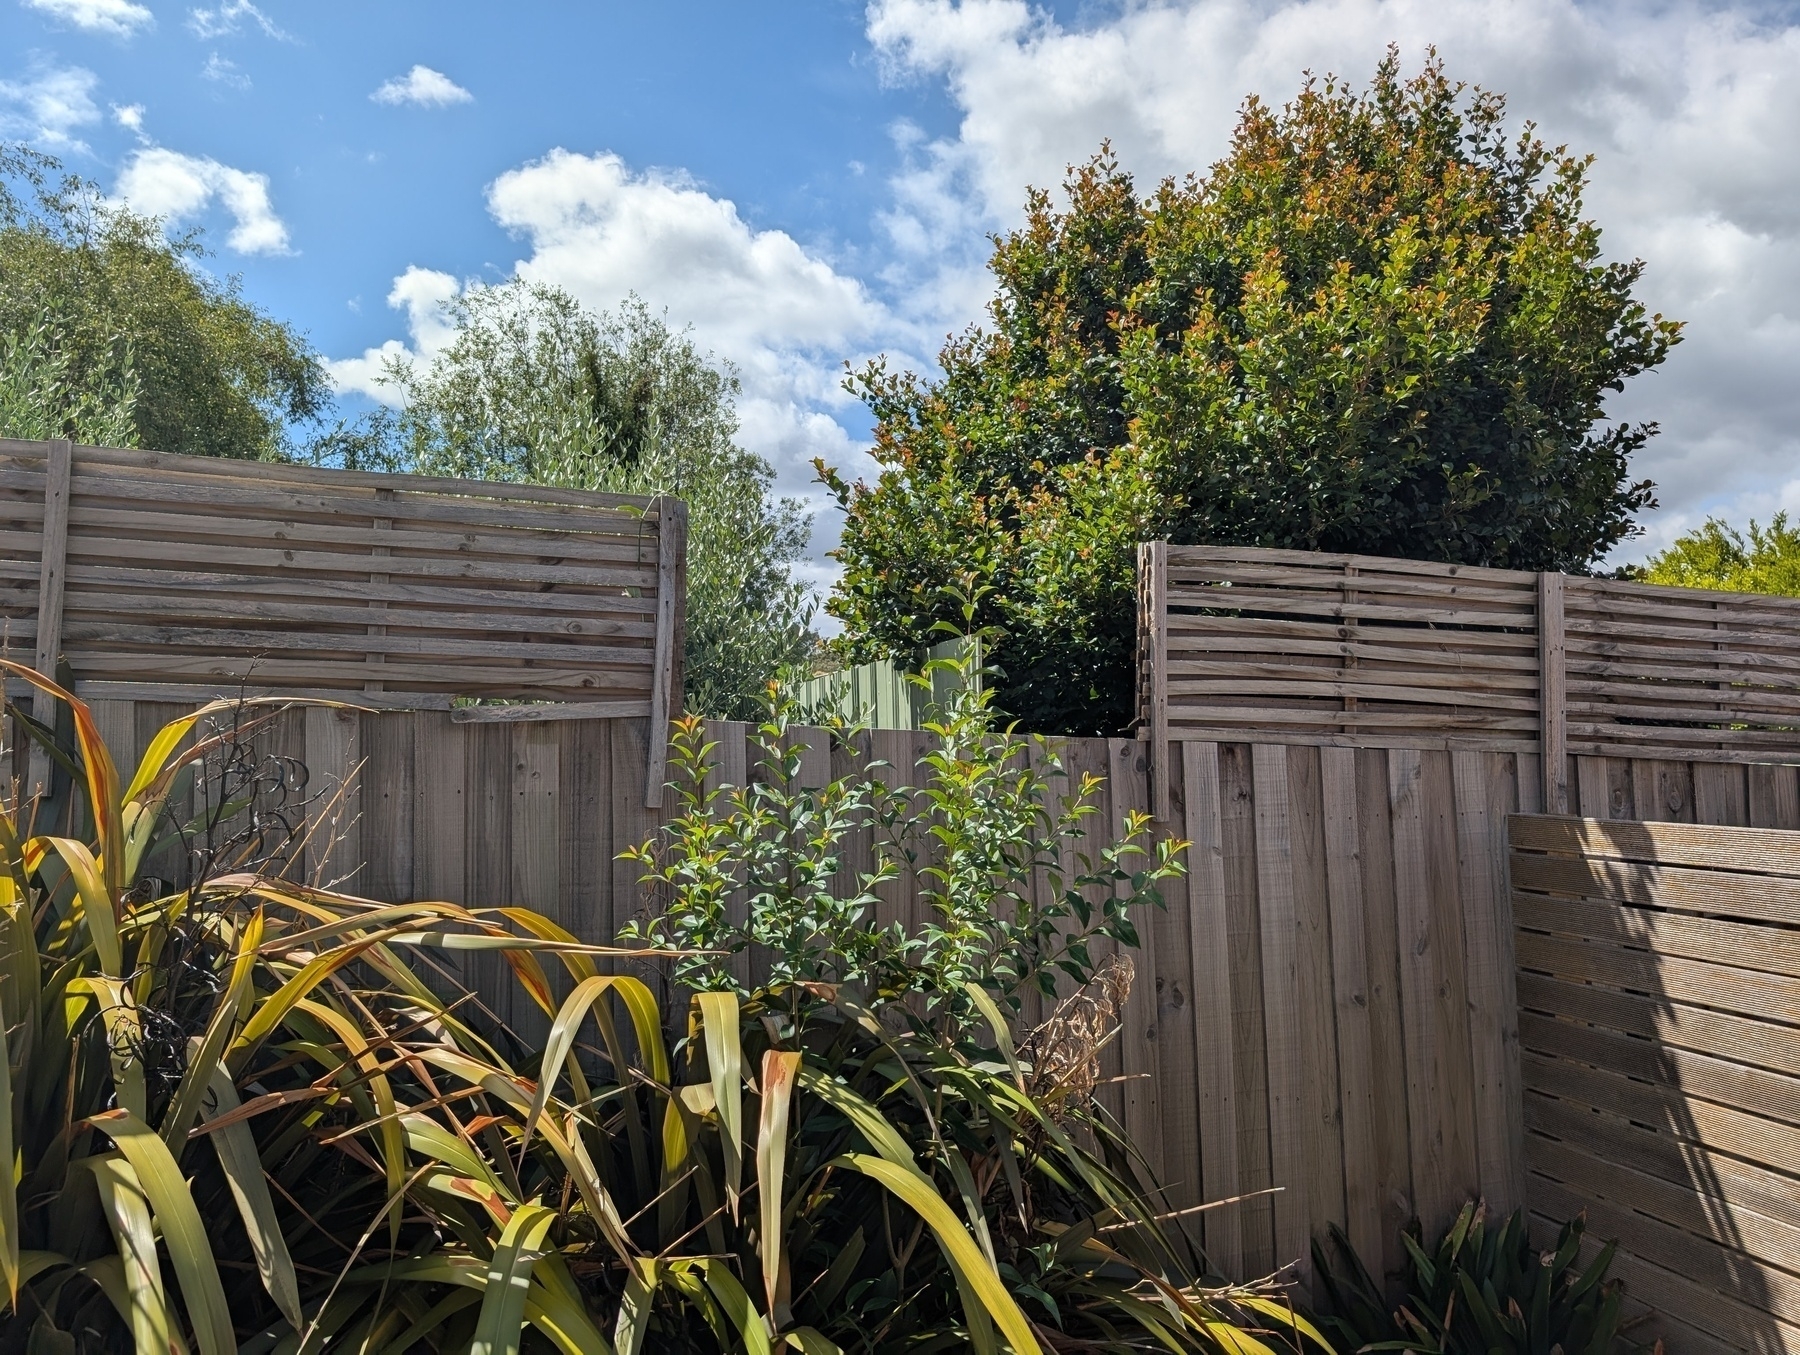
(534, 388)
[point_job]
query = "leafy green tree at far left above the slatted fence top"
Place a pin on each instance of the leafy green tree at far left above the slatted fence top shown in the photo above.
(100, 289)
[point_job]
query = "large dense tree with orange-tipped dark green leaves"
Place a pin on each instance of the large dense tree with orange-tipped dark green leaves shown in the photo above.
(1378, 325)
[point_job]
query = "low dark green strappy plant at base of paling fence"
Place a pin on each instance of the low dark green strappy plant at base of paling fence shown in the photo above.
(1482, 1293)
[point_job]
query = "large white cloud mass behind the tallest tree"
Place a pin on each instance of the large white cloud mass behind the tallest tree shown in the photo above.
(1691, 111)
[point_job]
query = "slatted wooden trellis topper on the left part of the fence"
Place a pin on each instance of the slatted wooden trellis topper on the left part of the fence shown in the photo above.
(184, 577)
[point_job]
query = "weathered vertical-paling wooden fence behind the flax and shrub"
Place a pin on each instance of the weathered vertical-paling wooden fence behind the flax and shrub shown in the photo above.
(1322, 1007)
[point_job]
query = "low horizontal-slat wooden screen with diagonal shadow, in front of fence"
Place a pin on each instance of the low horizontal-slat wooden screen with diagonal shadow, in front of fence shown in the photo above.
(1660, 1023)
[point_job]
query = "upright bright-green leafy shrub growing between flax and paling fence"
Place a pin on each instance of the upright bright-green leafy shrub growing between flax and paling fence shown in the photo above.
(985, 825)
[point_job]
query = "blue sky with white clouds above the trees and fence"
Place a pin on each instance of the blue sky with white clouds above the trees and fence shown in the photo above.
(813, 183)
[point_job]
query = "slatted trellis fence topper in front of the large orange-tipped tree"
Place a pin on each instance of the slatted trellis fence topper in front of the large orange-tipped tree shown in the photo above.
(1313, 649)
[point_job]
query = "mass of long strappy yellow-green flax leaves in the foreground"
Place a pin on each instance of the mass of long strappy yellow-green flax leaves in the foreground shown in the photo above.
(251, 1115)
